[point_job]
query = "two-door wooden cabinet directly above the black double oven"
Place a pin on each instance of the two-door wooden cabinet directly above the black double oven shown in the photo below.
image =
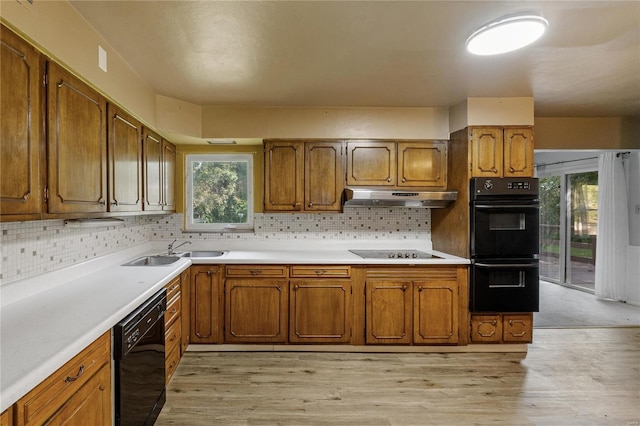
(501, 152)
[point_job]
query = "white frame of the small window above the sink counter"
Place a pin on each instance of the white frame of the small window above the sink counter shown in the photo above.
(191, 226)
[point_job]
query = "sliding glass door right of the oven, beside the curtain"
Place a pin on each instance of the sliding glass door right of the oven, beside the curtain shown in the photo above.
(568, 228)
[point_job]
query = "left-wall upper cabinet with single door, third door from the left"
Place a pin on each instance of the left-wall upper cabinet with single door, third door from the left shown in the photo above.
(125, 161)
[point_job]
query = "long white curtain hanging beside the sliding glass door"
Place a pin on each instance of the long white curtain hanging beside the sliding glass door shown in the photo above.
(613, 229)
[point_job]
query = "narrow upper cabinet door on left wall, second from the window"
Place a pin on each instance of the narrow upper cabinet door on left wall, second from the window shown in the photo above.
(152, 149)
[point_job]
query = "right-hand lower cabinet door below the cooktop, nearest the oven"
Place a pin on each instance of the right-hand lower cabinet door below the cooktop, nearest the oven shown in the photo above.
(435, 312)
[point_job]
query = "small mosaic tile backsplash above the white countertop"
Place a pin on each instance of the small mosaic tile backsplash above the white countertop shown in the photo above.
(33, 248)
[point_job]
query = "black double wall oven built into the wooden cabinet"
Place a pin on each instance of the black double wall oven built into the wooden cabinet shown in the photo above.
(504, 245)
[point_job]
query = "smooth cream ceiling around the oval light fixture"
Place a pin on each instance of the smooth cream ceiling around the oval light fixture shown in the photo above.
(375, 53)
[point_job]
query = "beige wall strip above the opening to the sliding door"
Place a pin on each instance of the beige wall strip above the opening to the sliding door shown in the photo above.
(587, 133)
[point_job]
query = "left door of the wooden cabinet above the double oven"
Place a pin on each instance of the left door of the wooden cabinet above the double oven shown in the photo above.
(486, 152)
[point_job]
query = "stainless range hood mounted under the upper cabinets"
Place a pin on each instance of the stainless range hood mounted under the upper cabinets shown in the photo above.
(368, 197)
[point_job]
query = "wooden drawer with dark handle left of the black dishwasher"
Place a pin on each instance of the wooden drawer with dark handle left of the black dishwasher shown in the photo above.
(50, 395)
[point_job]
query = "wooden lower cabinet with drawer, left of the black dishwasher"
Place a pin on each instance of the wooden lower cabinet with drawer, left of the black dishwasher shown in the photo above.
(79, 393)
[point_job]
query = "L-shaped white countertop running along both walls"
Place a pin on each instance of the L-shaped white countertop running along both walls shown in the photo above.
(45, 321)
